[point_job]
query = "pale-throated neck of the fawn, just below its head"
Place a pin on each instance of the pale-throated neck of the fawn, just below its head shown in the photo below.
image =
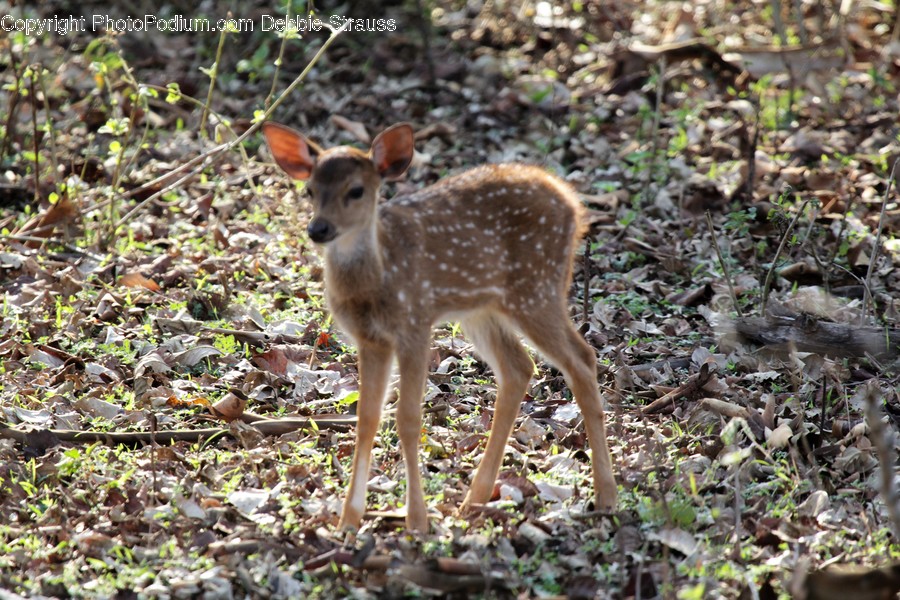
(353, 263)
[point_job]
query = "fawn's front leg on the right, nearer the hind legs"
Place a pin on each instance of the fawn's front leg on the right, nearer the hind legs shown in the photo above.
(413, 366)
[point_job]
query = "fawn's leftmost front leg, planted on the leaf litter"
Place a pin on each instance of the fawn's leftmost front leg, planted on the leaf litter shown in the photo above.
(374, 369)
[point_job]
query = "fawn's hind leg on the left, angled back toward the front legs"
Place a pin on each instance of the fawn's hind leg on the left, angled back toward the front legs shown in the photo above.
(501, 348)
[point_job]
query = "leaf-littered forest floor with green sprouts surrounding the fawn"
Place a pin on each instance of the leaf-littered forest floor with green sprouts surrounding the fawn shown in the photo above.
(177, 407)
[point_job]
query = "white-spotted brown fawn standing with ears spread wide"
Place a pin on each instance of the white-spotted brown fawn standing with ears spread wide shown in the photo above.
(491, 248)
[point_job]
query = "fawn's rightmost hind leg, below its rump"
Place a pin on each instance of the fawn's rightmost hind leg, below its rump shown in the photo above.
(552, 334)
